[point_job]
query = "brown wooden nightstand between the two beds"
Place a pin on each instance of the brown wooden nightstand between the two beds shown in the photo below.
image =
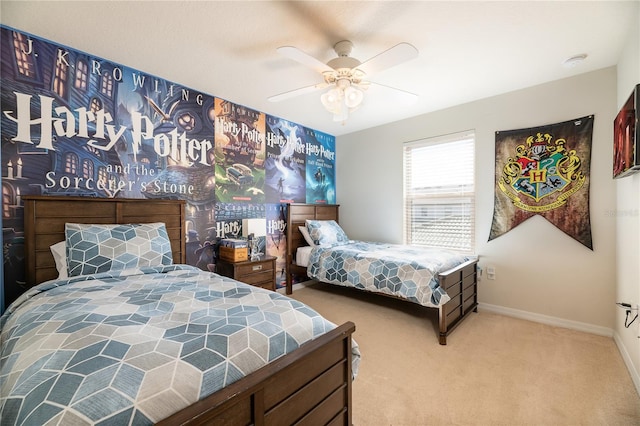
(260, 273)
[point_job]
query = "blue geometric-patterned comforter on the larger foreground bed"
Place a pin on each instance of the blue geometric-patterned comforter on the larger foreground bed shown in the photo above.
(135, 346)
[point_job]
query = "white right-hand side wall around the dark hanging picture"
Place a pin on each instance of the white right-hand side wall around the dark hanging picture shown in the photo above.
(628, 223)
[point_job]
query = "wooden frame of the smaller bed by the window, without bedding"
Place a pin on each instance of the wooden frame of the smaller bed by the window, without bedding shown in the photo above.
(460, 283)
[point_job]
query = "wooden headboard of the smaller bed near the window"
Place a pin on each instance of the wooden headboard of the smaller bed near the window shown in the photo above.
(297, 214)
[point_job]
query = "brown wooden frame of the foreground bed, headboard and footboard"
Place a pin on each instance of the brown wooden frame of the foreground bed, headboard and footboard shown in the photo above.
(311, 385)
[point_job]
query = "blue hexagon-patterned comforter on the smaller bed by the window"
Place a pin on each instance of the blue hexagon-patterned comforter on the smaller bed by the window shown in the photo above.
(407, 272)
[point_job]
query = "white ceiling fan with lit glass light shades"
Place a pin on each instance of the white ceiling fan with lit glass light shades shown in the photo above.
(346, 76)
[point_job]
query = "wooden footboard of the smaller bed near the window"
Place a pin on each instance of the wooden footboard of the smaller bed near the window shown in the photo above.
(461, 284)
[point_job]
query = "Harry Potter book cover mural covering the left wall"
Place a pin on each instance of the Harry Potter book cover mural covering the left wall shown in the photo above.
(76, 124)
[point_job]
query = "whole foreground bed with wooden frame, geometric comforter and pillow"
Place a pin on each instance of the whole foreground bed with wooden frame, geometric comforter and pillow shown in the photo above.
(146, 339)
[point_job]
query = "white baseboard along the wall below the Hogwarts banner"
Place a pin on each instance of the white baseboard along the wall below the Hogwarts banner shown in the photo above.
(573, 325)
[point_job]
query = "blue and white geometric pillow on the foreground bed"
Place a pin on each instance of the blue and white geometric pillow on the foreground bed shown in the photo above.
(95, 248)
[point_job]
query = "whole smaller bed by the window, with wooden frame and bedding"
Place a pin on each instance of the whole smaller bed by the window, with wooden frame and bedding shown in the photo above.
(434, 278)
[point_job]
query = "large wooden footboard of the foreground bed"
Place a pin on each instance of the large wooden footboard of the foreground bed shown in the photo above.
(309, 386)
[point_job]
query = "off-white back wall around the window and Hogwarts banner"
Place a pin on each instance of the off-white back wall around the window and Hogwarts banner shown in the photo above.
(539, 269)
